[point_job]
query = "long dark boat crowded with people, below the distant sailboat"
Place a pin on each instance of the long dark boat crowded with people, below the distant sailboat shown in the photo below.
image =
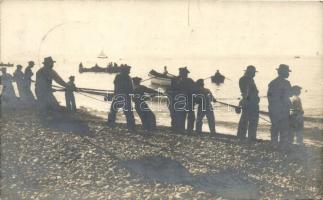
(111, 68)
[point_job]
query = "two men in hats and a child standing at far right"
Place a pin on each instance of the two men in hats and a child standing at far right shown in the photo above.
(284, 106)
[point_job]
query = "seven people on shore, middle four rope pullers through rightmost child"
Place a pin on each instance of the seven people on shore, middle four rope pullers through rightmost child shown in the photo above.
(184, 95)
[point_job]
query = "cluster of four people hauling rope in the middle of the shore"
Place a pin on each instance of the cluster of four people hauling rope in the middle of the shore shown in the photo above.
(183, 95)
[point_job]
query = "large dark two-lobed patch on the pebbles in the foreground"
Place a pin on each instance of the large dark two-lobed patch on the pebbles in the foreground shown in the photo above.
(227, 183)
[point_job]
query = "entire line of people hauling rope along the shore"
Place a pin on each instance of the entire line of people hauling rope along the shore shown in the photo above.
(184, 95)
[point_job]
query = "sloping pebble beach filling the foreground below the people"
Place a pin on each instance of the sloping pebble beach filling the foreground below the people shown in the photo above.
(78, 157)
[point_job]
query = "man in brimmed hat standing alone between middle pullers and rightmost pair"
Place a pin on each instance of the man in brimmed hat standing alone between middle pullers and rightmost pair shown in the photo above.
(249, 104)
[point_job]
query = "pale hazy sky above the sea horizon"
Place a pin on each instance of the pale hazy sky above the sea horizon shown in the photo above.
(193, 28)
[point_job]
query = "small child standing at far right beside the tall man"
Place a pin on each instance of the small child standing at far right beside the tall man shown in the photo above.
(297, 115)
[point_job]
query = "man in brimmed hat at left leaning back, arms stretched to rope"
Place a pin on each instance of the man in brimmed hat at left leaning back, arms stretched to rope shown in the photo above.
(43, 88)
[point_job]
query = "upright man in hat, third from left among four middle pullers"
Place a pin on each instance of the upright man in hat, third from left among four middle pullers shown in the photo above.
(184, 104)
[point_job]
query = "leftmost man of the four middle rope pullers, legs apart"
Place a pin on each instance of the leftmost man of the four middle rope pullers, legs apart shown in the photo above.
(123, 88)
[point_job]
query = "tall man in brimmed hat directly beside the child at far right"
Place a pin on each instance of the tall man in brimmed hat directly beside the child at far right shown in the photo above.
(279, 92)
